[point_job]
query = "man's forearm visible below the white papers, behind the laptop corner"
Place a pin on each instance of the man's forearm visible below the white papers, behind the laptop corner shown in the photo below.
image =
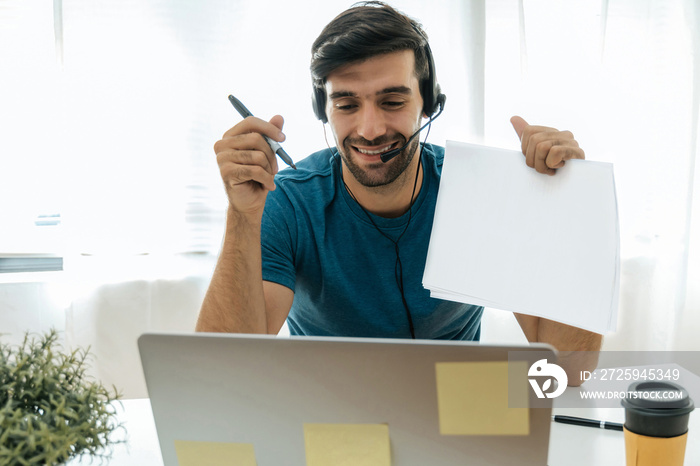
(578, 348)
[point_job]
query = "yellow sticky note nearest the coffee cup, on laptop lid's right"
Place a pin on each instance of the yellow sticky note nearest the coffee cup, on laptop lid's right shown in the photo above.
(473, 398)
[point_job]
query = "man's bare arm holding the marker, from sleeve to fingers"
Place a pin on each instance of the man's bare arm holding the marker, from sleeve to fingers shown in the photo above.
(238, 300)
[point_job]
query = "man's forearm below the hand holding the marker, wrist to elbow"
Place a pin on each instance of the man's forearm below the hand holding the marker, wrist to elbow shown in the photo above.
(235, 301)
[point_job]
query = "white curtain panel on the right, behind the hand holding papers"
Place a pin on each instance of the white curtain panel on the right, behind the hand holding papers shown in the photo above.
(623, 75)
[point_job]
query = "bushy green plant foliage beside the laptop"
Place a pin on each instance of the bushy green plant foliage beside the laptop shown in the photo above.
(50, 410)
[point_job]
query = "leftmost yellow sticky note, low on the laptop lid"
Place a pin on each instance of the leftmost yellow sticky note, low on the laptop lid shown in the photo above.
(191, 453)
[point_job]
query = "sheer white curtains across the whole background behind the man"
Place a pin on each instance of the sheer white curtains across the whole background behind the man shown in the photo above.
(112, 113)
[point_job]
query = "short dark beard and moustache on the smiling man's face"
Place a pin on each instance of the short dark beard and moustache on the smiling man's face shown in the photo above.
(379, 173)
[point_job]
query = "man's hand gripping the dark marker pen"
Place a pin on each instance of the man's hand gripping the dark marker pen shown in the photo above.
(247, 163)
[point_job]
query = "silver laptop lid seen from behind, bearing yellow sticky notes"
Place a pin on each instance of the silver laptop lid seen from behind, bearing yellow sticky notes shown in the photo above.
(264, 391)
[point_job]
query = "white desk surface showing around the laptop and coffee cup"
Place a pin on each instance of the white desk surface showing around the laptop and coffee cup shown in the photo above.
(569, 445)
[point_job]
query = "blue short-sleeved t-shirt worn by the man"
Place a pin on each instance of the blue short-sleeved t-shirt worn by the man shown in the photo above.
(317, 241)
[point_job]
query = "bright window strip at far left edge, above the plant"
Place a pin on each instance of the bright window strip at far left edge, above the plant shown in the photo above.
(30, 165)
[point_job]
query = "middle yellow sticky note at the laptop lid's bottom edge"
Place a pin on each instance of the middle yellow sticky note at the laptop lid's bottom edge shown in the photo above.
(347, 445)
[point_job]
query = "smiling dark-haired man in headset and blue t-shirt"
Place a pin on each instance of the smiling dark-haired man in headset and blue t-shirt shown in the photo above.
(338, 247)
